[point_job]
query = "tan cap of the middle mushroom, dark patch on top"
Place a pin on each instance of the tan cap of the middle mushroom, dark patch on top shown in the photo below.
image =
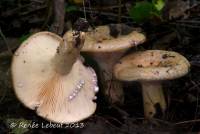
(114, 37)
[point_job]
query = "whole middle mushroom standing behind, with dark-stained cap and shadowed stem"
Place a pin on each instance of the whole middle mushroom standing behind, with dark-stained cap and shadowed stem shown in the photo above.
(106, 44)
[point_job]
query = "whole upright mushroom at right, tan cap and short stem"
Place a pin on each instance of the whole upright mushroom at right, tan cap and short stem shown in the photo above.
(150, 68)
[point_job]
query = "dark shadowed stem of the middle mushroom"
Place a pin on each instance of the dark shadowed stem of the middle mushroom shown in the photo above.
(112, 88)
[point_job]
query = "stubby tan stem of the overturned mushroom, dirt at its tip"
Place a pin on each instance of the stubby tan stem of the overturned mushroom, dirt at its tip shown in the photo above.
(68, 52)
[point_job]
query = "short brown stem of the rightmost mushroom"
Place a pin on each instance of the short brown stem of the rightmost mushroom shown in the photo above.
(153, 98)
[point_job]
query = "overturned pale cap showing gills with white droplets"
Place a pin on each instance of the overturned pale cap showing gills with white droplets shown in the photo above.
(58, 98)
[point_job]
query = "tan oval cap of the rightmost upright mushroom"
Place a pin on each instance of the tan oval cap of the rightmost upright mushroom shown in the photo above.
(151, 65)
